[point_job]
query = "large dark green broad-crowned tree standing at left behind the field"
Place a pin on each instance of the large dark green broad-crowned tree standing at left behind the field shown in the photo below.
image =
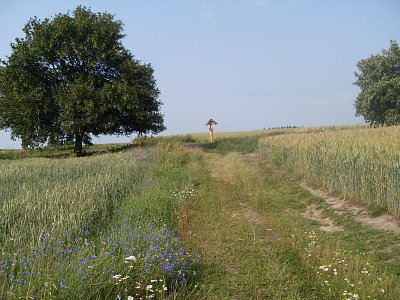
(70, 77)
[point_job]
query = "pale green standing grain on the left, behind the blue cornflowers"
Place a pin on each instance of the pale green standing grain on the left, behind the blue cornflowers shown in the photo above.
(55, 196)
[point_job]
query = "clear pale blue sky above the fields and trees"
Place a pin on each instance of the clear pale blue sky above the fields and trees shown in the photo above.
(249, 64)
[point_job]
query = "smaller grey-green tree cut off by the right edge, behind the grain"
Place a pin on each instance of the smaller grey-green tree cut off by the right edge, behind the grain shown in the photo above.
(379, 81)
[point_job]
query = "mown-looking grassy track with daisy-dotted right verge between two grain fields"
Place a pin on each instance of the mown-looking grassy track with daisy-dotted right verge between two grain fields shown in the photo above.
(253, 243)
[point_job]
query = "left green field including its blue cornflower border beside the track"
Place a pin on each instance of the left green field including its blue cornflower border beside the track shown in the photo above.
(93, 228)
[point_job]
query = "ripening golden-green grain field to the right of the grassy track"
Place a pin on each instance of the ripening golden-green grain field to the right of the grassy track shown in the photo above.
(361, 163)
